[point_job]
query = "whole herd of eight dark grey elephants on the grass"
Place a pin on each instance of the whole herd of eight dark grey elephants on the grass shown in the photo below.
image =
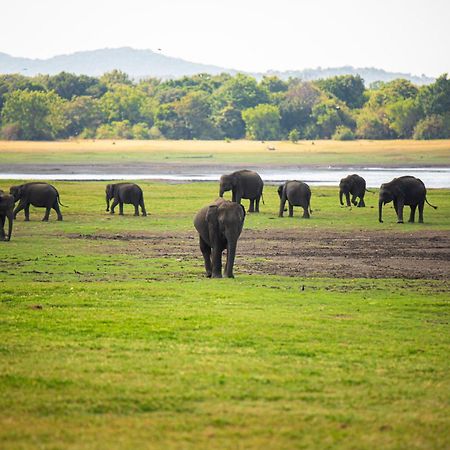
(220, 223)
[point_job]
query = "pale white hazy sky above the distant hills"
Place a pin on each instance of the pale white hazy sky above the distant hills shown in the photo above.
(254, 35)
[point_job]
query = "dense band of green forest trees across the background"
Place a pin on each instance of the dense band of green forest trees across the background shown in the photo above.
(222, 106)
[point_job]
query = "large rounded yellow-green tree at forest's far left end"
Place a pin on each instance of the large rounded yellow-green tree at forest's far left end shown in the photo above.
(40, 115)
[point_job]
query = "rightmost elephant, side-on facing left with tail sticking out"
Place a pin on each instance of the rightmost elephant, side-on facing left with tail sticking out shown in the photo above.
(403, 191)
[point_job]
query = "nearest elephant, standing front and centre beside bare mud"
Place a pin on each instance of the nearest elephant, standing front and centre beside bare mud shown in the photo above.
(219, 226)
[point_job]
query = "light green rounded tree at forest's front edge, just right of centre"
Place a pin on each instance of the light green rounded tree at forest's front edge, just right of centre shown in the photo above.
(262, 122)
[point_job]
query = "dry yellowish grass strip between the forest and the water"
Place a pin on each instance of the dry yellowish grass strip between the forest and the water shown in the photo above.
(396, 153)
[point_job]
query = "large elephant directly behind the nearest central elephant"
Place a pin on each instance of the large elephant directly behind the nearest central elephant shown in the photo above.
(243, 184)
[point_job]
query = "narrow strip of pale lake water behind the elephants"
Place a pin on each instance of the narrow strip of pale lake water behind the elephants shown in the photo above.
(434, 177)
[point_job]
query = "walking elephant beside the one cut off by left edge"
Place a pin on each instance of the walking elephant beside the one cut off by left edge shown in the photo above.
(41, 195)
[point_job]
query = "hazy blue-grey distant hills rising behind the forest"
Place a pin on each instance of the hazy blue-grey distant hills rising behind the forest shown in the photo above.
(146, 63)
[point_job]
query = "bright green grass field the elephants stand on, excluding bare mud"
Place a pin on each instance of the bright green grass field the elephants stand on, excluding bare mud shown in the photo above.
(102, 346)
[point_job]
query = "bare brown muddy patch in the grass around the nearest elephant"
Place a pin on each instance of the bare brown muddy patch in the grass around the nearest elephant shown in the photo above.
(323, 253)
